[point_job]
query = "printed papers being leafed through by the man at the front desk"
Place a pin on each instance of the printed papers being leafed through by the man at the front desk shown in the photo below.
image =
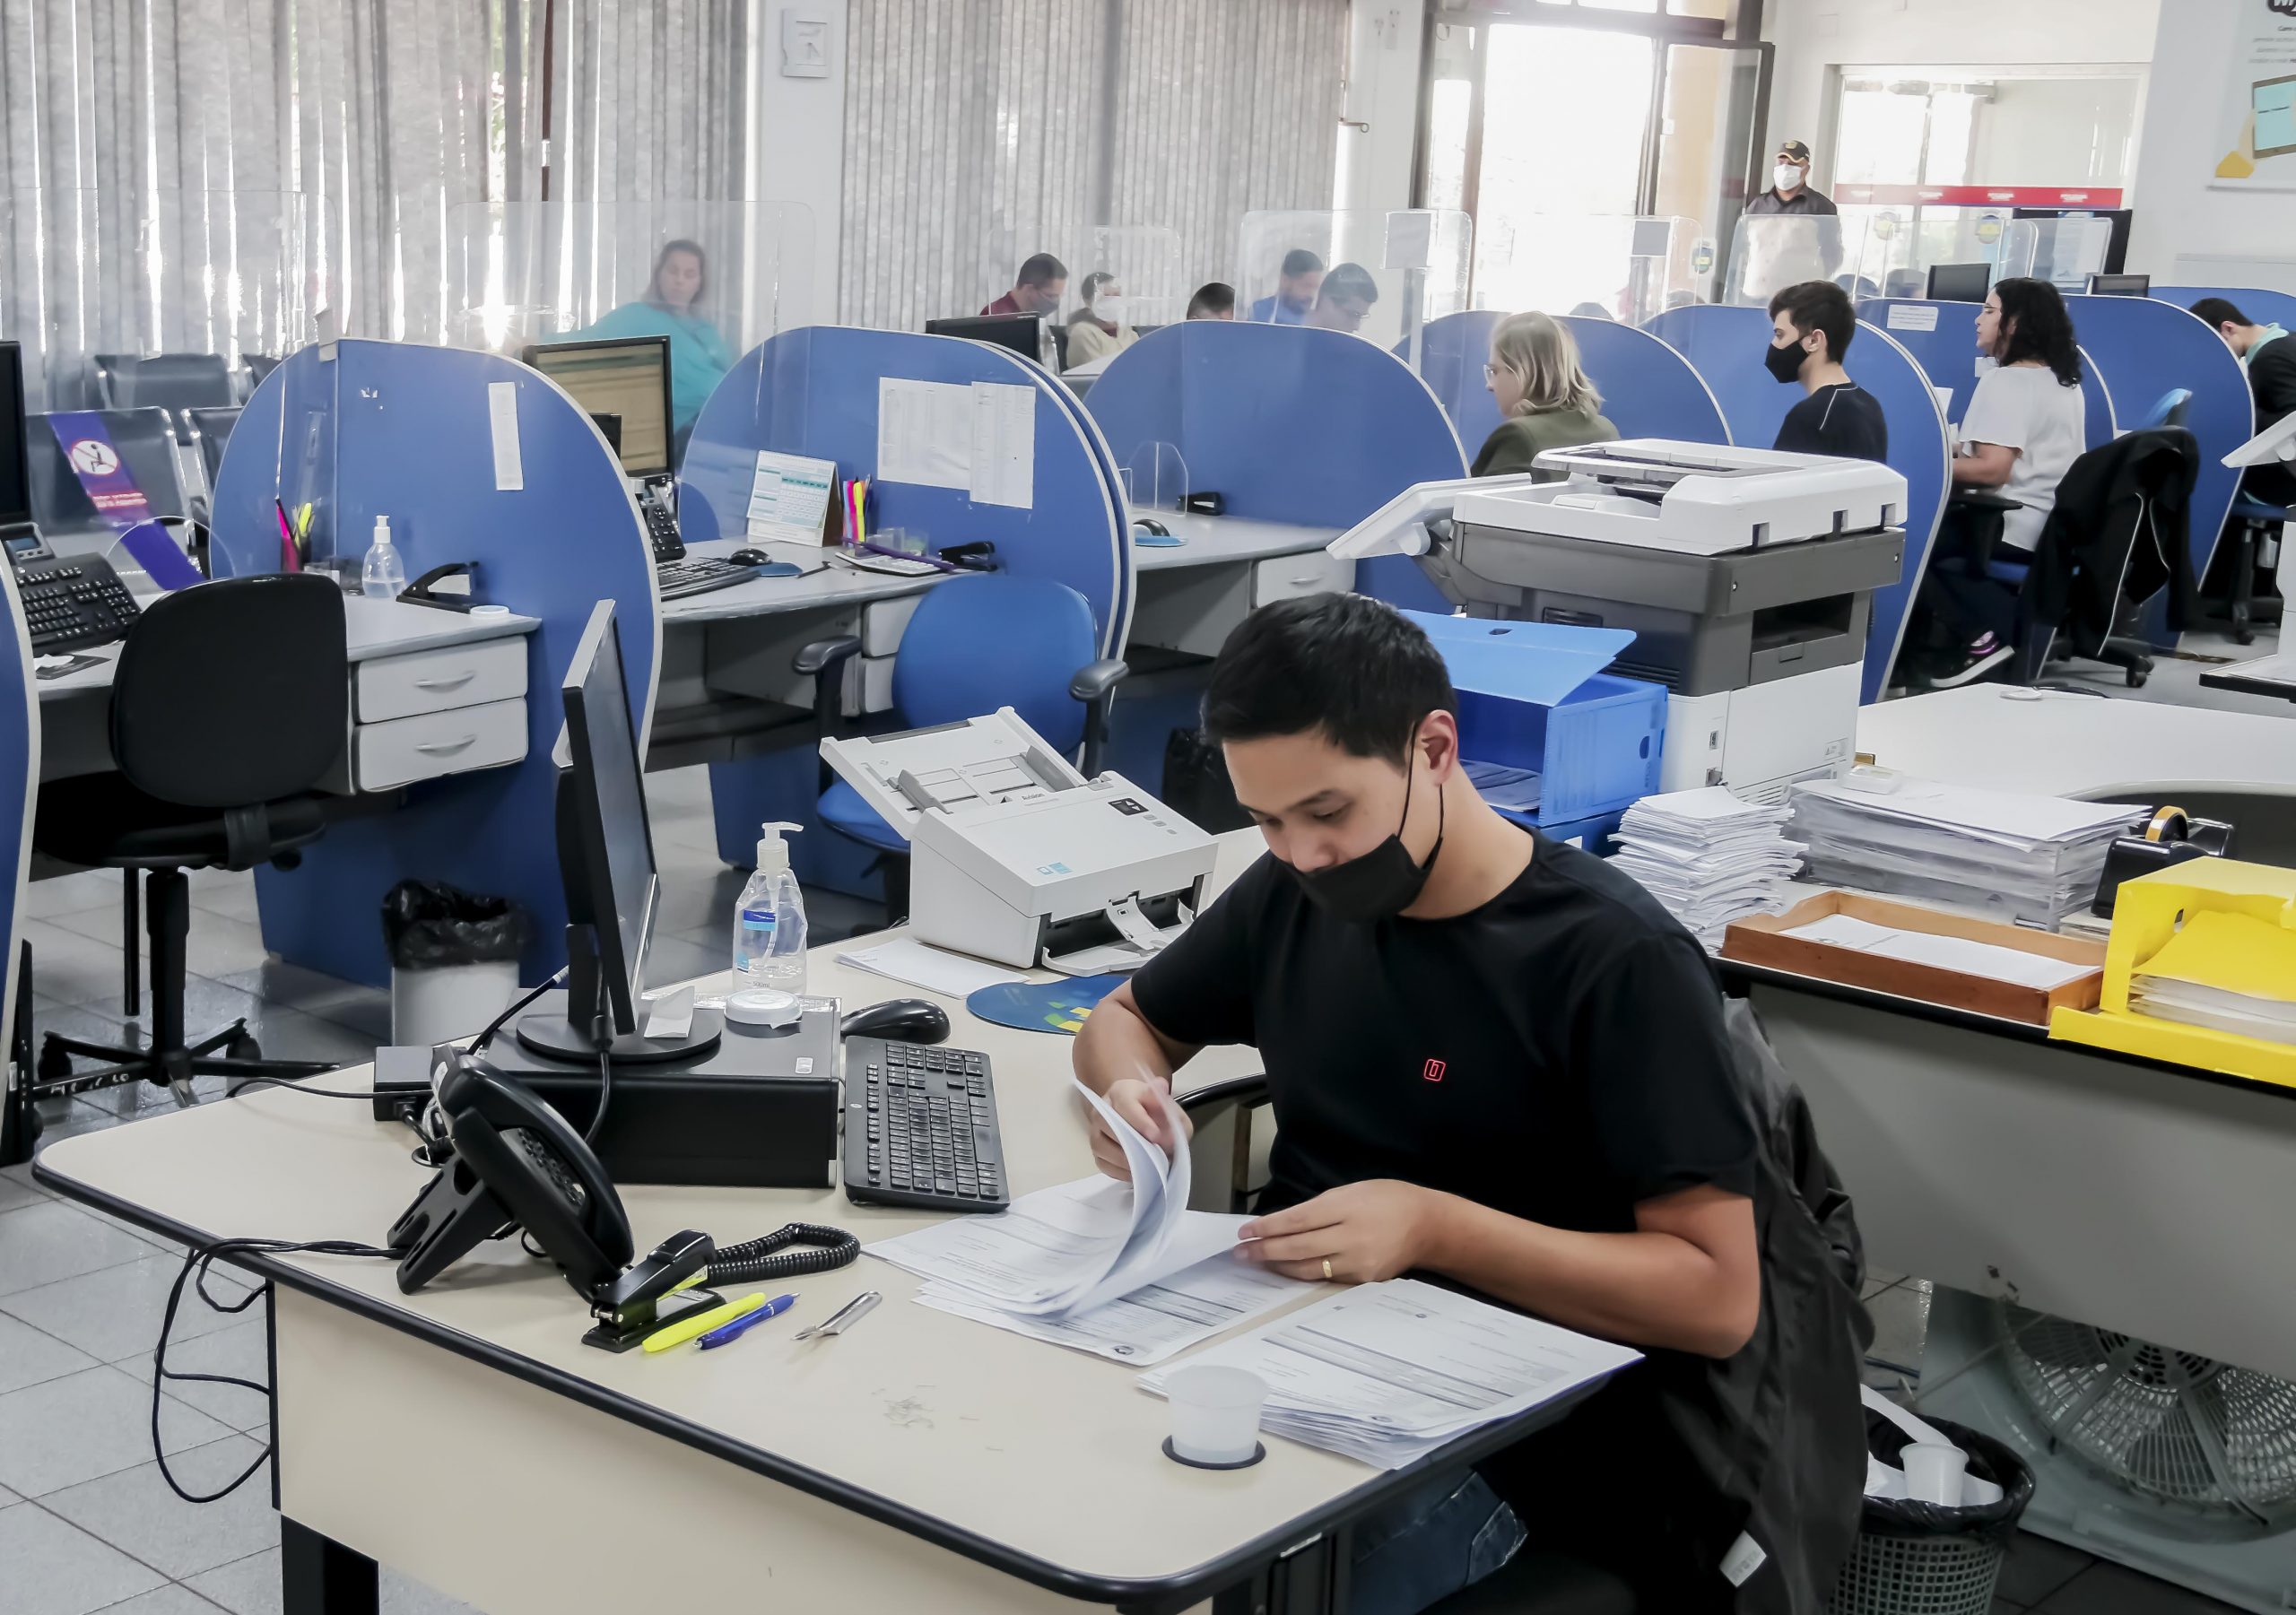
(1119, 1270)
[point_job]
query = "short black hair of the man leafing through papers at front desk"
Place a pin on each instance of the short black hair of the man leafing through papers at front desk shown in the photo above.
(1344, 664)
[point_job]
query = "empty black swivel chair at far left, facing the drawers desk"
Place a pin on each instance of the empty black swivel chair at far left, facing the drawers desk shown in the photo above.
(231, 705)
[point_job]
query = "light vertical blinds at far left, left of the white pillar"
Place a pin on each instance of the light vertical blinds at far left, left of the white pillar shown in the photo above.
(210, 175)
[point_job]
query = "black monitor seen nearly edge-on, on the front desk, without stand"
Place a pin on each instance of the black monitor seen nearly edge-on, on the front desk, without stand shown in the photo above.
(614, 845)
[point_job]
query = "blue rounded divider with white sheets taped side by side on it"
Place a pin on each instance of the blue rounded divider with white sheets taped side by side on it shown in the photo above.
(814, 391)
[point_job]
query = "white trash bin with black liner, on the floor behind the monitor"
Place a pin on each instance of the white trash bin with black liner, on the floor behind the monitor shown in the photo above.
(453, 960)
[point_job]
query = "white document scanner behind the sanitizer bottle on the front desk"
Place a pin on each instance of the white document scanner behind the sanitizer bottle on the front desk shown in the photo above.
(1021, 859)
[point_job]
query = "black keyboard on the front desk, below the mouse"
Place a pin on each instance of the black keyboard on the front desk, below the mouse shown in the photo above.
(922, 1128)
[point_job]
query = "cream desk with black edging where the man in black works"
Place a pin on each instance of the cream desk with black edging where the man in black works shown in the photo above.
(920, 1460)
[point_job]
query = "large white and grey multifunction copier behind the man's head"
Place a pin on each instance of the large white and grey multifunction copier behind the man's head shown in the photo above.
(1746, 575)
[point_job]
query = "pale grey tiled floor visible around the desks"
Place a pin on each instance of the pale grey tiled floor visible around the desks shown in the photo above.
(86, 1520)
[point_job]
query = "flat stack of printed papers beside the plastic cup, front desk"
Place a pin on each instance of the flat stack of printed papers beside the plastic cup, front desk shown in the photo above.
(1390, 1373)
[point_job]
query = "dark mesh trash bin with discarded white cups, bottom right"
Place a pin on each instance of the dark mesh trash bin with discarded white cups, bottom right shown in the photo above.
(1923, 1559)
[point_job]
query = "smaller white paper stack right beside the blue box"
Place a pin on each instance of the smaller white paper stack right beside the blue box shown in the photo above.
(1709, 857)
